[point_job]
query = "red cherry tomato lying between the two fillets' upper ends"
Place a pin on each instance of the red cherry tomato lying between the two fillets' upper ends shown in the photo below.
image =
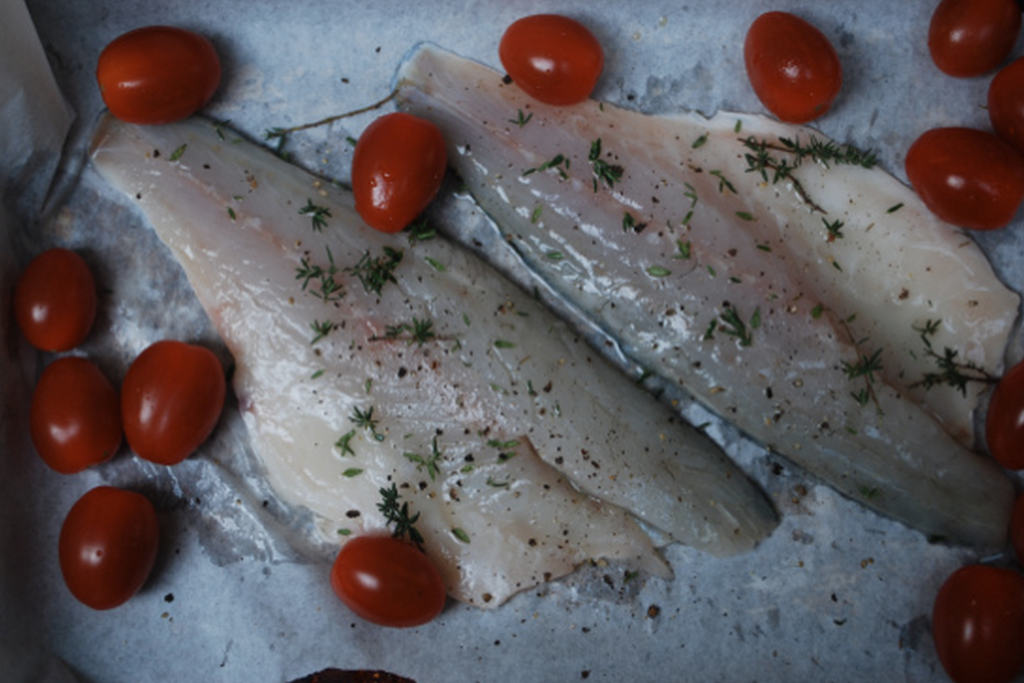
(398, 168)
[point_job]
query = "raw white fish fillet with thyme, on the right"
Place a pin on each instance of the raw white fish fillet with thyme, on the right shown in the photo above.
(733, 285)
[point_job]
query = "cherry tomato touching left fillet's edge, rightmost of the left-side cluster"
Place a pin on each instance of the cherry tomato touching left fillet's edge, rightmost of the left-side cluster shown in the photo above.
(172, 400)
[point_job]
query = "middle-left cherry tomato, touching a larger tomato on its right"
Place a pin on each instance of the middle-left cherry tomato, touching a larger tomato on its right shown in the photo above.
(75, 417)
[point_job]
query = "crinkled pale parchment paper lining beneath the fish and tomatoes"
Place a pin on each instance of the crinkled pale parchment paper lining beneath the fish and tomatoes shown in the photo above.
(240, 592)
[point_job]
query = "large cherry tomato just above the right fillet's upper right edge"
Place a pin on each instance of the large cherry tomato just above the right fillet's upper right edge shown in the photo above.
(967, 178)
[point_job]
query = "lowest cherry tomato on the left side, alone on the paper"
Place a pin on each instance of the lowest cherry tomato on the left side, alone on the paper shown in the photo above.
(108, 546)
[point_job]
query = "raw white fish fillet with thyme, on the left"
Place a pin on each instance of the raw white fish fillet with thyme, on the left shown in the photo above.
(525, 453)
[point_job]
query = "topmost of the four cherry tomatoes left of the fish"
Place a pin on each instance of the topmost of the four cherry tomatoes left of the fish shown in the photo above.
(56, 301)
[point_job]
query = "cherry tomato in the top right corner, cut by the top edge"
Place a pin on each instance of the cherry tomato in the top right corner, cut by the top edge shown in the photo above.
(971, 37)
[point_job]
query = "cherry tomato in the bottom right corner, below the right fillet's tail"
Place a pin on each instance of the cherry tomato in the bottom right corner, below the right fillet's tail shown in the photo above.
(978, 625)
